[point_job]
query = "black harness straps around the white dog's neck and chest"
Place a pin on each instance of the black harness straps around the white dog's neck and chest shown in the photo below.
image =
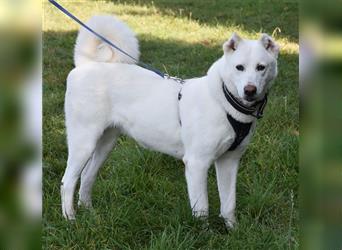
(242, 129)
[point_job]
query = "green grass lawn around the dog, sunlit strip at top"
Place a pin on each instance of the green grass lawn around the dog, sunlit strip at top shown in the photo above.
(140, 199)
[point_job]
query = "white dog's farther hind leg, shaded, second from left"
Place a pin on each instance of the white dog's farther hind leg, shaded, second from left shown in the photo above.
(103, 147)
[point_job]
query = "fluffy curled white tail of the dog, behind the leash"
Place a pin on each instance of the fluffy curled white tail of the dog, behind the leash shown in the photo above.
(90, 48)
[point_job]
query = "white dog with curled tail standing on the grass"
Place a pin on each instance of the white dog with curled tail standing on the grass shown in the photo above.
(206, 120)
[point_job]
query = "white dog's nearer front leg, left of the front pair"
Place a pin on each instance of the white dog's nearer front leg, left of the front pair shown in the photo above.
(196, 172)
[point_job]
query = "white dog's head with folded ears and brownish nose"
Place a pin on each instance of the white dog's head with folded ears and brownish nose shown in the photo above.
(249, 66)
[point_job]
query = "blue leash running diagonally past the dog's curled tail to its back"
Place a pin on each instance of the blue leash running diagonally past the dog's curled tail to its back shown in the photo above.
(144, 65)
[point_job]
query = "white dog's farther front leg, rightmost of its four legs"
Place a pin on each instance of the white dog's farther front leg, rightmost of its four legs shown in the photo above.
(226, 172)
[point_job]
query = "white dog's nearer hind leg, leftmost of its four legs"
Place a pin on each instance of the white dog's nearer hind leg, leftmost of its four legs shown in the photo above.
(81, 145)
